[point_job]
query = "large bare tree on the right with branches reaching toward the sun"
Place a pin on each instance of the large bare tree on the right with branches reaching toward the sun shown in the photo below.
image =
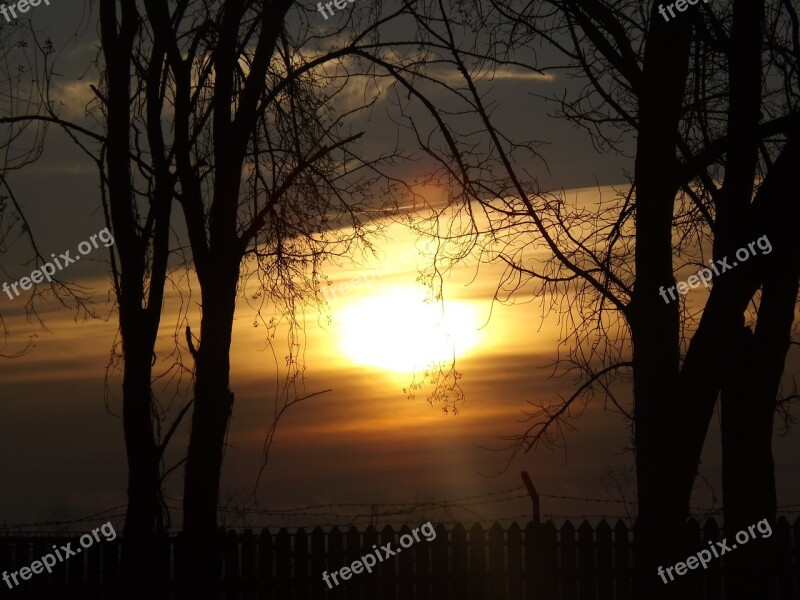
(695, 93)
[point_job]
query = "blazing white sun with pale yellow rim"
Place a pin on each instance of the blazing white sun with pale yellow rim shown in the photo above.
(398, 331)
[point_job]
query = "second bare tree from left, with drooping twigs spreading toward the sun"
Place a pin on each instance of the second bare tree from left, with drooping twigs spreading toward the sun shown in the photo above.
(266, 173)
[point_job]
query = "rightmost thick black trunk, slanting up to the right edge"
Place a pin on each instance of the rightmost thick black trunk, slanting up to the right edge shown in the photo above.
(749, 400)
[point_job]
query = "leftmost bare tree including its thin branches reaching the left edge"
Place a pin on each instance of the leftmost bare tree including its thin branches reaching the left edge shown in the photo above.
(136, 200)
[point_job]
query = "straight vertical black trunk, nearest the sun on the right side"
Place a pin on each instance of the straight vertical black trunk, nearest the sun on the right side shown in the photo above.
(663, 501)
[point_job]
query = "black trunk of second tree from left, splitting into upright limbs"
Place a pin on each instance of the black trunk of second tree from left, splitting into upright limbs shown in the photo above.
(217, 254)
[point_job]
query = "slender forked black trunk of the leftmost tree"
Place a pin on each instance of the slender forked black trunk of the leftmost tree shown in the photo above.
(138, 325)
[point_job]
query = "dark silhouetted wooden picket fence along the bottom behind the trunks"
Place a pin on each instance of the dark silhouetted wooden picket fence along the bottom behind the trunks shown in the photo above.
(537, 562)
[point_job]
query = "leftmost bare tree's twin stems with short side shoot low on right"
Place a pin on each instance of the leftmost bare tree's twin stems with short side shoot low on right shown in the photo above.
(142, 244)
